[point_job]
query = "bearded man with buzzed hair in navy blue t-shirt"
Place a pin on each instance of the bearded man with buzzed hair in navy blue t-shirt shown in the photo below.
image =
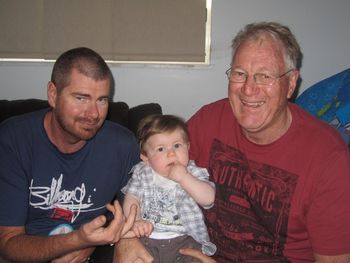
(60, 168)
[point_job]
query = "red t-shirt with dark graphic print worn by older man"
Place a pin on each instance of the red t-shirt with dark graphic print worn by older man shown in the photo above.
(278, 202)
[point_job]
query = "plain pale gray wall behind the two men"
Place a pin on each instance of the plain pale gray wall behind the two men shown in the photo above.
(322, 27)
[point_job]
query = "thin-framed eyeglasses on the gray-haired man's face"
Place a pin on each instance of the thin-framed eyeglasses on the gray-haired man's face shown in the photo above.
(236, 76)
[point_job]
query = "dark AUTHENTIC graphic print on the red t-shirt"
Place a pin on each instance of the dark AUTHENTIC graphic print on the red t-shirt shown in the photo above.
(249, 220)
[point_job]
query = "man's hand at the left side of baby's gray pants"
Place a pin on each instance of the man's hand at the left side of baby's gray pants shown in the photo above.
(131, 250)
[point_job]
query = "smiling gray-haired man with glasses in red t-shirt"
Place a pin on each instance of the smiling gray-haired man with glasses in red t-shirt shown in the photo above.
(282, 176)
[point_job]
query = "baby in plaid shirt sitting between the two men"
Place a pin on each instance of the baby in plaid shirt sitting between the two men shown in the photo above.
(168, 188)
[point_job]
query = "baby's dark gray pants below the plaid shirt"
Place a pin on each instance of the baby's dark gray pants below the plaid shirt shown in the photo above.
(167, 250)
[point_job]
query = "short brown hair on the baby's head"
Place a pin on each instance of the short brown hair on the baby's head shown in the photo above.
(158, 123)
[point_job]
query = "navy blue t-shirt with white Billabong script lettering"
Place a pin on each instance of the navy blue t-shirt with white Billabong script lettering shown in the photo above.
(50, 192)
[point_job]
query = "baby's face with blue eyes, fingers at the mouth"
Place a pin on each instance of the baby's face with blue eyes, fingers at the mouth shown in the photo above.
(166, 149)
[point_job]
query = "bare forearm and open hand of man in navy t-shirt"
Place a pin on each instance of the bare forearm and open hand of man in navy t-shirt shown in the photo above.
(16, 245)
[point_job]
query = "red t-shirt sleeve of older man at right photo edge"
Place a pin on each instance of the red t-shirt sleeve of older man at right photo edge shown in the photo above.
(330, 231)
